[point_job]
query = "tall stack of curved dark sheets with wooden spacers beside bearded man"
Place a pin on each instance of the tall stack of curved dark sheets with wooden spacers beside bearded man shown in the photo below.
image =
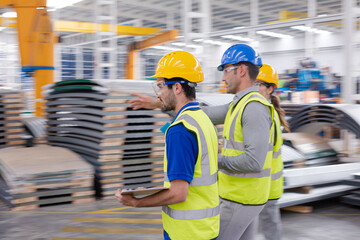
(125, 146)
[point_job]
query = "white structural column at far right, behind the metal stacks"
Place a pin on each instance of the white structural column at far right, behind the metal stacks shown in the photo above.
(351, 11)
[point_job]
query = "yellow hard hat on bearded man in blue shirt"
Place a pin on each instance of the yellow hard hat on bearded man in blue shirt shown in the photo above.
(179, 64)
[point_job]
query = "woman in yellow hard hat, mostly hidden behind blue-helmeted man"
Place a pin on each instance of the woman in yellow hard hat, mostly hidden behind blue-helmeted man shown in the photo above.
(269, 218)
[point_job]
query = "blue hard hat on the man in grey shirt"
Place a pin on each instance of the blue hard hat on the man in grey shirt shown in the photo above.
(240, 53)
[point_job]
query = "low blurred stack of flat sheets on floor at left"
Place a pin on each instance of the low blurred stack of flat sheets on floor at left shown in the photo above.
(40, 176)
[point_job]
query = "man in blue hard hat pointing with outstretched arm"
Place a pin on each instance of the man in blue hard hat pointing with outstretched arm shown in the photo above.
(245, 161)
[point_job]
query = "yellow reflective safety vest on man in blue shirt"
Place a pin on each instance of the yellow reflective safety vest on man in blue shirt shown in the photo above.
(198, 217)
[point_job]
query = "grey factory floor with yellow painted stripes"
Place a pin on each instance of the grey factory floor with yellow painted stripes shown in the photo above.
(108, 220)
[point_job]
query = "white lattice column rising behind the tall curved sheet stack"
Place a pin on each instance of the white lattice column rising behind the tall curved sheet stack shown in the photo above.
(105, 50)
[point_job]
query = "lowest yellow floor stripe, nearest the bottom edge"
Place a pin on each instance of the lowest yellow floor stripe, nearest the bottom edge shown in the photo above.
(113, 230)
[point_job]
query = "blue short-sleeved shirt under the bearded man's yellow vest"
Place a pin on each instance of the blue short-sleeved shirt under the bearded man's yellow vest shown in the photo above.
(181, 151)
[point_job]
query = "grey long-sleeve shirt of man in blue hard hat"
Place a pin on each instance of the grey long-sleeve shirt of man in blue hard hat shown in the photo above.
(256, 123)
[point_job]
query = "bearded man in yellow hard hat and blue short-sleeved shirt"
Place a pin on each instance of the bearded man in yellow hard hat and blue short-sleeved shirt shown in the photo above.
(191, 204)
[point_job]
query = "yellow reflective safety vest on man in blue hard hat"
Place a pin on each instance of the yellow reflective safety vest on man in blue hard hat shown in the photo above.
(244, 188)
